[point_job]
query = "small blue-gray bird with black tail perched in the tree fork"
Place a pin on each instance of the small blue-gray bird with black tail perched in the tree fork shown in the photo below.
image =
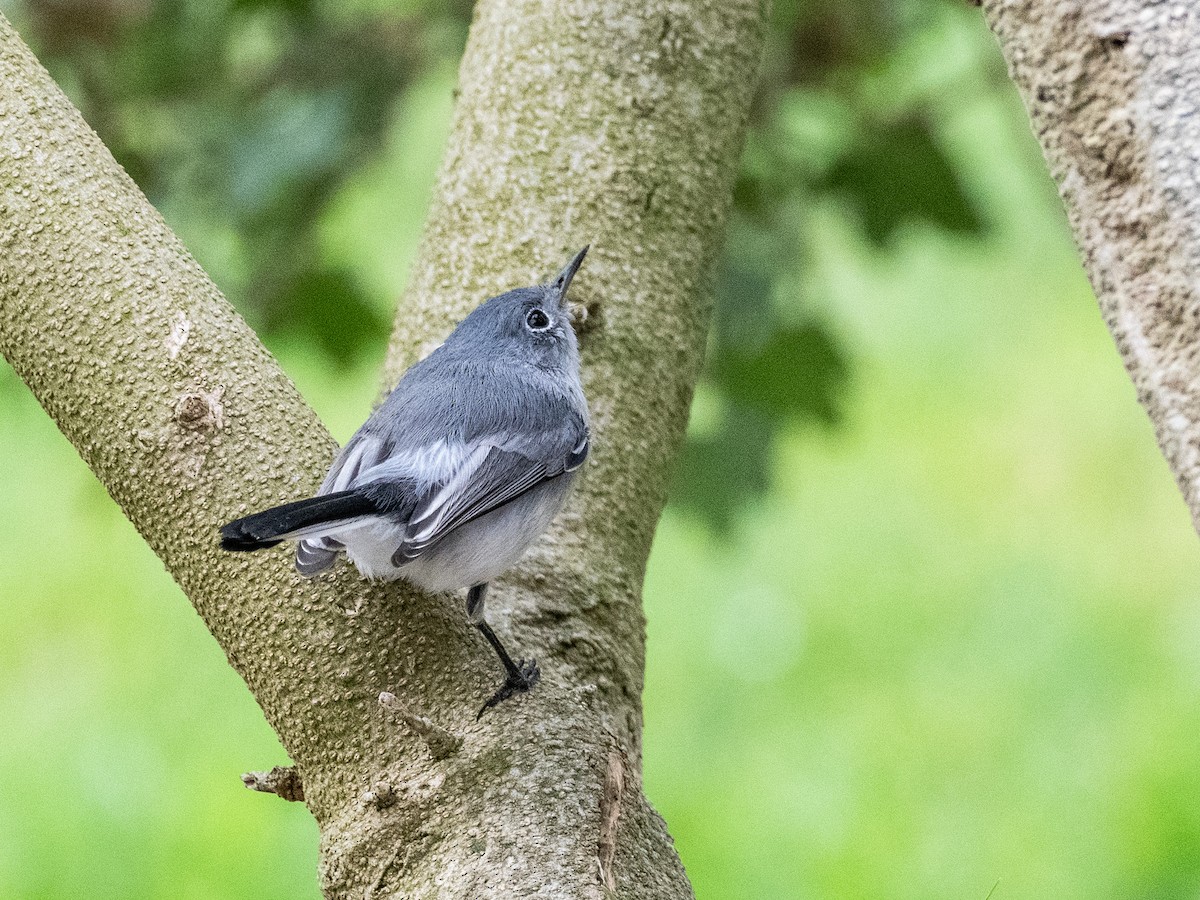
(460, 470)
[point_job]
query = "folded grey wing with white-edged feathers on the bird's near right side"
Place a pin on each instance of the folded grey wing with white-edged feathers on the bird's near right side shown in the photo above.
(497, 471)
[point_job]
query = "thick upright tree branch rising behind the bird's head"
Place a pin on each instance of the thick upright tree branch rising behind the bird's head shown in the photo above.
(620, 125)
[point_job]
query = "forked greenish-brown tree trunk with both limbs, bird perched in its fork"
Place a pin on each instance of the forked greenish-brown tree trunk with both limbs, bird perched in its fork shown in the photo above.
(604, 122)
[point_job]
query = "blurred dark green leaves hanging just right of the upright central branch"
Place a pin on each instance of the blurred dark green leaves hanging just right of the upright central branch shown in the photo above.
(823, 134)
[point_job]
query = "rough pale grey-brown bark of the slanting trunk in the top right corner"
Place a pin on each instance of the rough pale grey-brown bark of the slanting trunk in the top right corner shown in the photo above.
(1113, 89)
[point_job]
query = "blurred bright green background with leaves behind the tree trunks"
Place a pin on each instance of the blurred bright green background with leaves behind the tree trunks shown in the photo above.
(923, 613)
